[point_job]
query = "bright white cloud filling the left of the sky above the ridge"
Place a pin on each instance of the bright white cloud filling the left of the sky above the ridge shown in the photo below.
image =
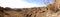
(16, 4)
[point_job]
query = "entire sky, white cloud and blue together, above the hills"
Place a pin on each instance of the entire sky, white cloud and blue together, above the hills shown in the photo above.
(22, 3)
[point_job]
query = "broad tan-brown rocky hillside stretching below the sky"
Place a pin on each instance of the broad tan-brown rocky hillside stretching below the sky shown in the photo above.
(49, 11)
